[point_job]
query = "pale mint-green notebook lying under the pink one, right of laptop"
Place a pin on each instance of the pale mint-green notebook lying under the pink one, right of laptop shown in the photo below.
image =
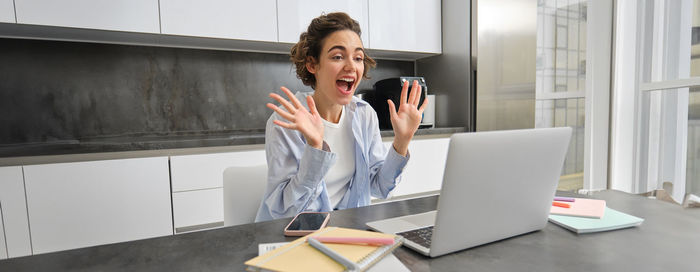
(611, 220)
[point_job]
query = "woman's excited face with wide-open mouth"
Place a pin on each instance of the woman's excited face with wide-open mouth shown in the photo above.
(339, 68)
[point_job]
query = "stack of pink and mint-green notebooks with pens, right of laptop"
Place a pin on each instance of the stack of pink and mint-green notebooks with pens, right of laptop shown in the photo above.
(582, 215)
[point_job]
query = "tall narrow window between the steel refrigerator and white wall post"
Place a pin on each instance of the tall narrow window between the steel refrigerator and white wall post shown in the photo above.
(561, 78)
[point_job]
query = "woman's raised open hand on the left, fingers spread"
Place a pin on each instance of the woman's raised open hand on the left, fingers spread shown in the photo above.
(309, 123)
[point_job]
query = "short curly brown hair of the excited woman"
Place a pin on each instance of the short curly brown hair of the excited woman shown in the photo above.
(310, 43)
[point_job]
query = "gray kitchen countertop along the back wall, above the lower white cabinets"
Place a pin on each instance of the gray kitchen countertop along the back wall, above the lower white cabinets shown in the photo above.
(16, 154)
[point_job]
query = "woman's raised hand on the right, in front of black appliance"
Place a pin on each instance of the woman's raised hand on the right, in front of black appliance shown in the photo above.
(406, 121)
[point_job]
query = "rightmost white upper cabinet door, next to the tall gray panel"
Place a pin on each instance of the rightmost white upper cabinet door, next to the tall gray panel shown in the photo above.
(406, 25)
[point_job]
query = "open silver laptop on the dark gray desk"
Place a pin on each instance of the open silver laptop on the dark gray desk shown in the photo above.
(496, 185)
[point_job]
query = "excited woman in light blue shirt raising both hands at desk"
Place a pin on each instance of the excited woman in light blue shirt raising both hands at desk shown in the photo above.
(327, 153)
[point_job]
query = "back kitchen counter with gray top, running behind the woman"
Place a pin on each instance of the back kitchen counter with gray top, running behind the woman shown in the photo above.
(135, 146)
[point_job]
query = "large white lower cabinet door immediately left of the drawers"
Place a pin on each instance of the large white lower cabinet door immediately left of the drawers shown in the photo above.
(81, 204)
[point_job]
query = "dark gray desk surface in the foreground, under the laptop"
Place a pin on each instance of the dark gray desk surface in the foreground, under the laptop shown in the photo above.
(668, 240)
